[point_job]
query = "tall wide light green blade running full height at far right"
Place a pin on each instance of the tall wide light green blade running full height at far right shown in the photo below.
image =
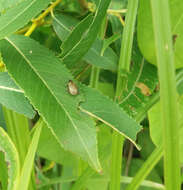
(168, 96)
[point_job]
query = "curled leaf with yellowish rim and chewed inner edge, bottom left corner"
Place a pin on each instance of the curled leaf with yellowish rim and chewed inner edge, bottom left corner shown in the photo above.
(11, 157)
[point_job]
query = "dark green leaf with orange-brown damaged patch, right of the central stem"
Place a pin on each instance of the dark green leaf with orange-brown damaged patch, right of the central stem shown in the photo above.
(142, 81)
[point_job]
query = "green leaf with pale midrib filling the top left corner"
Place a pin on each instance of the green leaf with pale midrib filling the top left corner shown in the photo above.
(18, 16)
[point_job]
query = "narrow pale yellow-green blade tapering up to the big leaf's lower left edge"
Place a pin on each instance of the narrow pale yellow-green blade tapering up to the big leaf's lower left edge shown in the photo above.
(29, 159)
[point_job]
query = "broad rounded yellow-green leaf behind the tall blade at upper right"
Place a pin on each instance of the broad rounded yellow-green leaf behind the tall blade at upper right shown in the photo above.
(145, 30)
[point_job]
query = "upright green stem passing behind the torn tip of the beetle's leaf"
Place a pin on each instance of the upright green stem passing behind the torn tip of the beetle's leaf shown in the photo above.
(123, 69)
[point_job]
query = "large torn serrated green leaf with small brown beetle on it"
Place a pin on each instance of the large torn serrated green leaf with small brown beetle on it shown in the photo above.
(47, 80)
